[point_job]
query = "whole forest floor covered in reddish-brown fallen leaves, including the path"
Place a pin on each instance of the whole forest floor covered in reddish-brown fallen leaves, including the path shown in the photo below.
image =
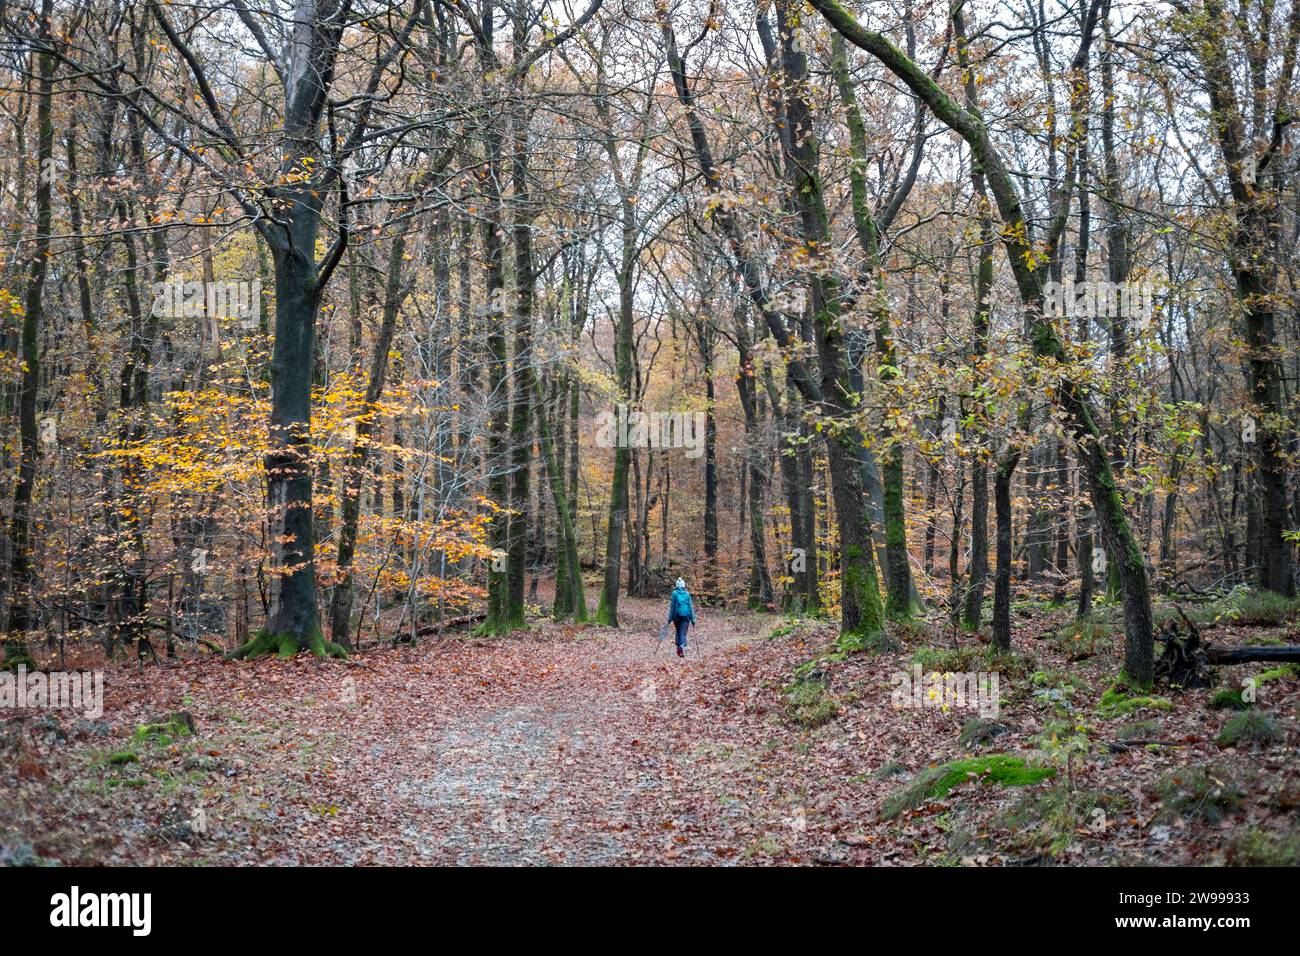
(597, 746)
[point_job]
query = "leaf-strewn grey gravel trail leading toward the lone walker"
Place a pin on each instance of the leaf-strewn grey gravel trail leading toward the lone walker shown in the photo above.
(538, 778)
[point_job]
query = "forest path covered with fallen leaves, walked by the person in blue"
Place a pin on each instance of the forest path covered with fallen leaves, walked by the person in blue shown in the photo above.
(569, 765)
